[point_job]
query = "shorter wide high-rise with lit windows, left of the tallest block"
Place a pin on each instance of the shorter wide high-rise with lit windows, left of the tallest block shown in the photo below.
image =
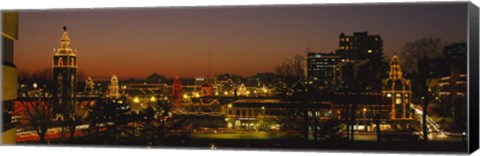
(320, 69)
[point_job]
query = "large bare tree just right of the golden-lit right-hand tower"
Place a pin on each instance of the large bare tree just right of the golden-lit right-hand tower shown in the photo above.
(419, 53)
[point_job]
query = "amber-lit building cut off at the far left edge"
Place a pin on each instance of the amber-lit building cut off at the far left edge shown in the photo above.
(9, 75)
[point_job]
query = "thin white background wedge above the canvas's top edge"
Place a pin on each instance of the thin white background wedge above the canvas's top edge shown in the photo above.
(51, 4)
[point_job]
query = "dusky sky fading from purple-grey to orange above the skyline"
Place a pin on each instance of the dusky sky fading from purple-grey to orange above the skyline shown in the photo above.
(242, 40)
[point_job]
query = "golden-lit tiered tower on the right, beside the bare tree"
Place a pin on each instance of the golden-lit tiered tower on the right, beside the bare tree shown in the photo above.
(397, 91)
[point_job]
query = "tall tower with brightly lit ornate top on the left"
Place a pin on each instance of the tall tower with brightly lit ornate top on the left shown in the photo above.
(64, 72)
